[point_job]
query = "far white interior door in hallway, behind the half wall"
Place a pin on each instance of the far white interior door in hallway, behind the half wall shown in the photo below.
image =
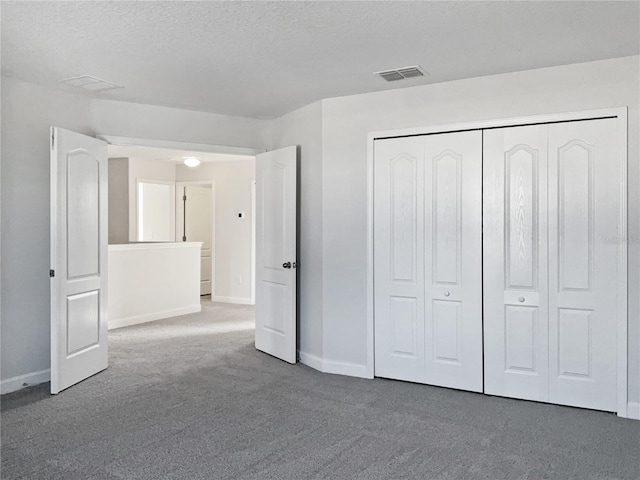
(198, 218)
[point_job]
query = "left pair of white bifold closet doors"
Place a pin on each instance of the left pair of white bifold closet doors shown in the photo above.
(427, 259)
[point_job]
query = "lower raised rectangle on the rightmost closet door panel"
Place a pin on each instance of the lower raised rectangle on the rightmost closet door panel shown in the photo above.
(574, 343)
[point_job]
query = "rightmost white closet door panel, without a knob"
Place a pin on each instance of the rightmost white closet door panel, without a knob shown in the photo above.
(584, 218)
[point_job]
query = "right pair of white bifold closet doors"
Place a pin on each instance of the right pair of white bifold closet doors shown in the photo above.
(551, 206)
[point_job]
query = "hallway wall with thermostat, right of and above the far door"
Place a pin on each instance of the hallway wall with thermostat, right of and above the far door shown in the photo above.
(232, 235)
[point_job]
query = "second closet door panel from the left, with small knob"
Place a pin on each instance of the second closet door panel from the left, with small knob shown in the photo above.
(453, 254)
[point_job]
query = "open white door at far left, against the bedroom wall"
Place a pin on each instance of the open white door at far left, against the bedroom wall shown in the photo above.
(78, 258)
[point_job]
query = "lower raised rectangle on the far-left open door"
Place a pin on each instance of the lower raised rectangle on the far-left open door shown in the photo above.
(83, 321)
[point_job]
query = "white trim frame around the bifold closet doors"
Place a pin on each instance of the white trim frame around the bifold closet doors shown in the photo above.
(620, 113)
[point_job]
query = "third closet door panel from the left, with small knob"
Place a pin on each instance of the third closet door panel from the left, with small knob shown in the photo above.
(515, 262)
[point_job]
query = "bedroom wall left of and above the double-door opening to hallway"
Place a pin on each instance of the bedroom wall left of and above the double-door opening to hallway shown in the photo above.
(27, 112)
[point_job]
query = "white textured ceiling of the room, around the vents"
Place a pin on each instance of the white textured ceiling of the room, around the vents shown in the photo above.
(263, 59)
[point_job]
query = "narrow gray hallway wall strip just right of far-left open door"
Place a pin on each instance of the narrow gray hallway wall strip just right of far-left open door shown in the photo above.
(118, 200)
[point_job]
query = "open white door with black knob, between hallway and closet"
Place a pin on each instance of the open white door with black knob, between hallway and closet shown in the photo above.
(276, 180)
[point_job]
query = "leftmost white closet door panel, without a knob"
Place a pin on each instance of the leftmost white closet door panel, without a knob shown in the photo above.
(399, 258)
